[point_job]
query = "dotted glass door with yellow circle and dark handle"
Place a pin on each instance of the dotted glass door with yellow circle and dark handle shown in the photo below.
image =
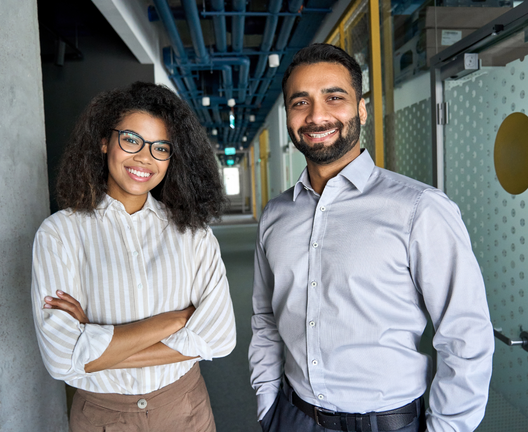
(482, 164)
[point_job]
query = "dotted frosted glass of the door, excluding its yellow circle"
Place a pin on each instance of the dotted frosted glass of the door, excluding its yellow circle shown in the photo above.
(496, 220)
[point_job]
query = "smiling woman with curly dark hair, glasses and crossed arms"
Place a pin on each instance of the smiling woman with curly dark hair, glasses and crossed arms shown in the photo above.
(130, 292)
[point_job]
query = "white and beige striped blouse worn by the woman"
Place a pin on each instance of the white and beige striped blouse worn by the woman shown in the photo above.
(124, 268)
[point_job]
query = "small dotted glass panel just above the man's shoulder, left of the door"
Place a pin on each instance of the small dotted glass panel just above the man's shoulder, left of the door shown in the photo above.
(412, 153)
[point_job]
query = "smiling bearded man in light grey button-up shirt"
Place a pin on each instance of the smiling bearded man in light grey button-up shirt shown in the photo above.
(348, 264)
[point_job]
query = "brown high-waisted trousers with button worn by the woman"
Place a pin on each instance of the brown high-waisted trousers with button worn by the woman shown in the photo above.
(181, 406)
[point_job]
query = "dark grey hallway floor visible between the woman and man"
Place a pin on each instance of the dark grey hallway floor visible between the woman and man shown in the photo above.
(232, 398)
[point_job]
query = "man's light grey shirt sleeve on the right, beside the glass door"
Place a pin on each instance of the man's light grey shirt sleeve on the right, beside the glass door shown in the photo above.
(446, 271)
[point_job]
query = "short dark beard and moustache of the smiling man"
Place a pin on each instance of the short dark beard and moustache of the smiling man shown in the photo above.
(321, 154)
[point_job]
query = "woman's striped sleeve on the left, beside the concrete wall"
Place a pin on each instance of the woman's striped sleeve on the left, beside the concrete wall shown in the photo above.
(65, 344)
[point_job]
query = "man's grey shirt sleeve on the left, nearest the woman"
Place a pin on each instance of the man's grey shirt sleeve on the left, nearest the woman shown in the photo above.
(266, 349)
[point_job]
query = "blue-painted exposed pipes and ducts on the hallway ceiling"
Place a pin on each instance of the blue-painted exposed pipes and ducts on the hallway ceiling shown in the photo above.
(223, 62)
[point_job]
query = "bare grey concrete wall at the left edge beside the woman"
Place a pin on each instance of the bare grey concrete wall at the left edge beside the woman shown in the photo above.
(30, 399)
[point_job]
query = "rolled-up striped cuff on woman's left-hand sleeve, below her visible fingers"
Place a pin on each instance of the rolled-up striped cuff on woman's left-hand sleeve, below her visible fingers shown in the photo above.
(91, 345)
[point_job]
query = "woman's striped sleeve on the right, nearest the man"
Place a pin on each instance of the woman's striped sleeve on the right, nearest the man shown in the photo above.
(210, 332)
